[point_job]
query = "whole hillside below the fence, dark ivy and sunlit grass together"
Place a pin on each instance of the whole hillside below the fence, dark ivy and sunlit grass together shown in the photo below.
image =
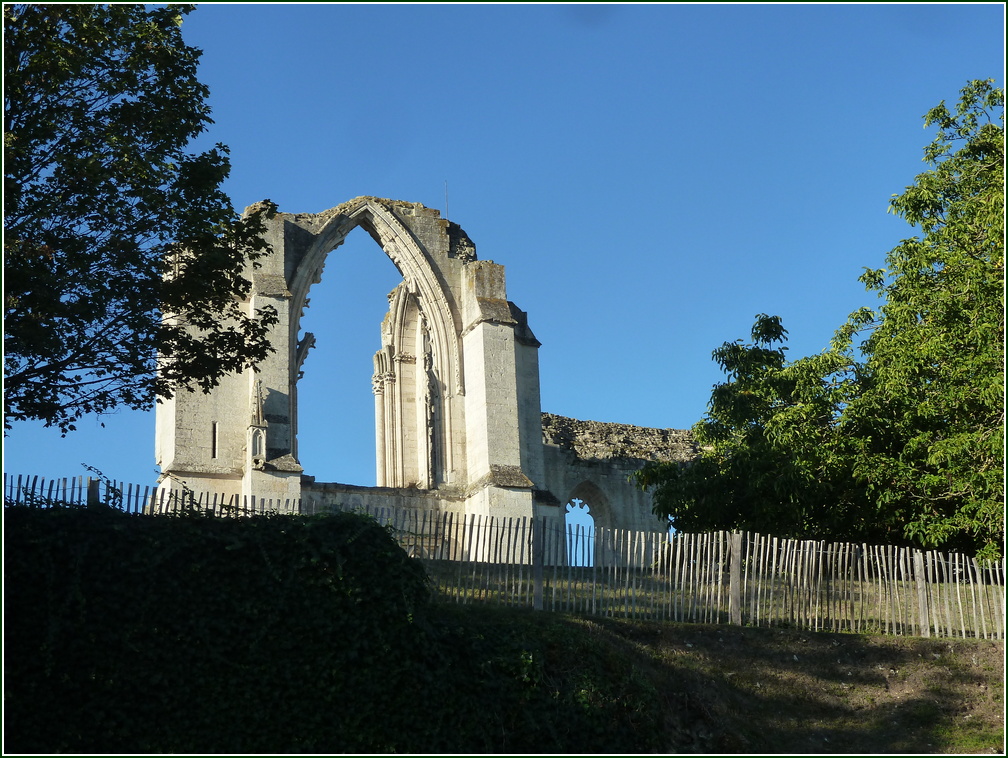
(287, 635)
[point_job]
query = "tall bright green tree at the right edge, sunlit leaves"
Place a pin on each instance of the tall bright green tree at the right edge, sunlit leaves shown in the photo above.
(930, 416)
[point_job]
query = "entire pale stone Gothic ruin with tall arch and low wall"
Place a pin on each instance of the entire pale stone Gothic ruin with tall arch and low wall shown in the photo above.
(458, 423)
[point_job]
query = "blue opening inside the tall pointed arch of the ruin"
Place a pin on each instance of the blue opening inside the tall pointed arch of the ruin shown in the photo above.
(336, 407)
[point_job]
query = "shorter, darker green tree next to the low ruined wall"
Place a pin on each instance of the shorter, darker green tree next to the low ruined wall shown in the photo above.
(772, 458)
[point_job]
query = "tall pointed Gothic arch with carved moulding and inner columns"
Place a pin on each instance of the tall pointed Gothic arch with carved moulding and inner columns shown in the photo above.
(418, 370)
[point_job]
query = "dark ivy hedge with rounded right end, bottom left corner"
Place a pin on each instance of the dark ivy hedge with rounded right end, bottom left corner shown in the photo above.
(151, 635)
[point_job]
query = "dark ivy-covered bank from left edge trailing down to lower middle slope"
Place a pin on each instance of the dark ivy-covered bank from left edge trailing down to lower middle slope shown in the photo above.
(280, 635)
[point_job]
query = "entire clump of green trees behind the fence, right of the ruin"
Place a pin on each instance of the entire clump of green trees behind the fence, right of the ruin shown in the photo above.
(900, 439)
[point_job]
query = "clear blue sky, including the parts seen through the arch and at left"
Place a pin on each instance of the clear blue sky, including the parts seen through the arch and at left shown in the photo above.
(652, 177)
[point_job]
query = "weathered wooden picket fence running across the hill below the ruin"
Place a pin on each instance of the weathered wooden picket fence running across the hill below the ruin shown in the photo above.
(711, 578)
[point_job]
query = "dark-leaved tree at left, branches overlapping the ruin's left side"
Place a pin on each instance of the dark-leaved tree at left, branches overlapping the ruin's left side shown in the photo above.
(125, 266)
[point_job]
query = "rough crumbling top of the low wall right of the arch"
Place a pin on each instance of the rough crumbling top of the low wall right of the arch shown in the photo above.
(605, 441)
